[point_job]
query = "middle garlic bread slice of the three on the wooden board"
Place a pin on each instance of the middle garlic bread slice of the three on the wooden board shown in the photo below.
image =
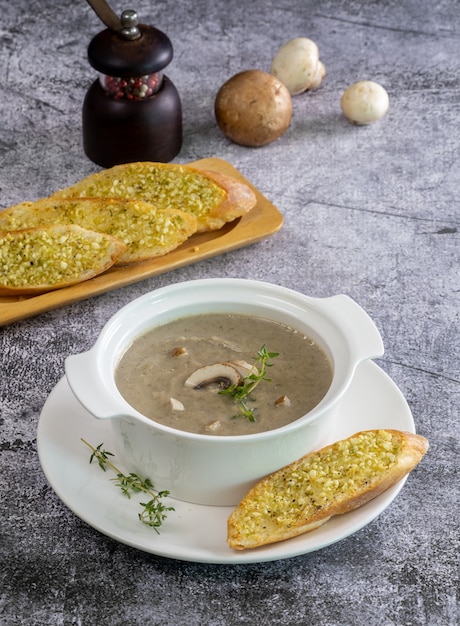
(146, 232)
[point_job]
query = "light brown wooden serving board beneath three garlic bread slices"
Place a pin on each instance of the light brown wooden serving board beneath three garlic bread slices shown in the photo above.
(261, 222)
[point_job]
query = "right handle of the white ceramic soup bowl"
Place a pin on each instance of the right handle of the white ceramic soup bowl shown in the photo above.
(365, 339)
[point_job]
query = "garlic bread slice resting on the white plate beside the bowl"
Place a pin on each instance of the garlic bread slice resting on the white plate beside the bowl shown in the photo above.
(334, 480)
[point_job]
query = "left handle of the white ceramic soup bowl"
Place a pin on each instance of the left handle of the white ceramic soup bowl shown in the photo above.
(87, 386)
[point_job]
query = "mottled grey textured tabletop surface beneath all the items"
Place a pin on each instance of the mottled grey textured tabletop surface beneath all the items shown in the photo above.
(371, 212)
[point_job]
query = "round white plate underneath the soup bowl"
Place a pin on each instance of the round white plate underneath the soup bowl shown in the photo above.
(191, 532)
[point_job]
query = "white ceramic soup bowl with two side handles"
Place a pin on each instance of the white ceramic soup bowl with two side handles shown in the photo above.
(208, 469)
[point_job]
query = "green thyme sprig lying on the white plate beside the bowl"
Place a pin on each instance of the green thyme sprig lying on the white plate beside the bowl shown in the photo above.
(154, 512)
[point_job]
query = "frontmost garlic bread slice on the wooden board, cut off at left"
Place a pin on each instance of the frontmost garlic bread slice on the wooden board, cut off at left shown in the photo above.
(37, 260)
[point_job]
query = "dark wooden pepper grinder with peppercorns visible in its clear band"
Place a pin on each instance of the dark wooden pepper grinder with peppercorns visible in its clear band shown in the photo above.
(132, 112)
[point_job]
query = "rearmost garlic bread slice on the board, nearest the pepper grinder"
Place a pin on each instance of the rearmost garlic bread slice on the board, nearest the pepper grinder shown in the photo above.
(212, 198)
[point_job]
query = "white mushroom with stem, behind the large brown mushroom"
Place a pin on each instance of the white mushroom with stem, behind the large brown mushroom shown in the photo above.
(297, 65)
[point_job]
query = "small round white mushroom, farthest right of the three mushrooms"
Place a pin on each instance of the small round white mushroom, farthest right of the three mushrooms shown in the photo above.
(364, 102)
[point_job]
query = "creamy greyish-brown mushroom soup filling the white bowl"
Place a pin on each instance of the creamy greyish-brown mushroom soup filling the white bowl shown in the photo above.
(175, 374)
